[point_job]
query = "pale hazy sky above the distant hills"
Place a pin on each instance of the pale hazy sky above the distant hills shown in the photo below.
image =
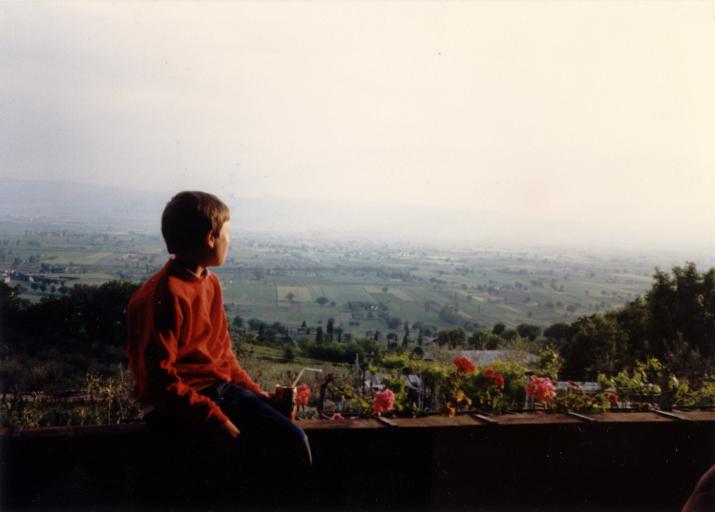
(601, 113)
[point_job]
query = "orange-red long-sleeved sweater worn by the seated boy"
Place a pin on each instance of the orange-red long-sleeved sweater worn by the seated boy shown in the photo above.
(179, 343)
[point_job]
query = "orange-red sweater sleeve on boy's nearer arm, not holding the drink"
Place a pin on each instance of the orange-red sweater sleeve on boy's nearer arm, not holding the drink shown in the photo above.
(174, 396)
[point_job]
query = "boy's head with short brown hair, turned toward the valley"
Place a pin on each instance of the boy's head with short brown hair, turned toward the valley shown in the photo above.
(188, 220)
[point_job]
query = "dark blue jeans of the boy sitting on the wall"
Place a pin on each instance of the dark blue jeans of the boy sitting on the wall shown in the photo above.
(268, 464)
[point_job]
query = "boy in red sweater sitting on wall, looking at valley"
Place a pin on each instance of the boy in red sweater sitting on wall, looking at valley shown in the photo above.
(186, 375)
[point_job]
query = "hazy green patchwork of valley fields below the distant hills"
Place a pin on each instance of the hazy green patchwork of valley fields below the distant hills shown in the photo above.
(479, 286)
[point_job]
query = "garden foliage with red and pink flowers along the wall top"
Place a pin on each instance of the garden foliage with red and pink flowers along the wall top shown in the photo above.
(342, 391)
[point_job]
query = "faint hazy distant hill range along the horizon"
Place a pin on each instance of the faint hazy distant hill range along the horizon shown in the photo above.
(128, 208)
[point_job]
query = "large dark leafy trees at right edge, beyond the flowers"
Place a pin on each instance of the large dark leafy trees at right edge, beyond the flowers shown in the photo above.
(674, 322)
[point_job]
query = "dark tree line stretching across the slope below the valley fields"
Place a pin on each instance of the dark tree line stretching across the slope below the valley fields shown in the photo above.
(58, 339)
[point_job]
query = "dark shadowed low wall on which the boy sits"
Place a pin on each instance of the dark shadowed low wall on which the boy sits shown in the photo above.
(640, 461)
